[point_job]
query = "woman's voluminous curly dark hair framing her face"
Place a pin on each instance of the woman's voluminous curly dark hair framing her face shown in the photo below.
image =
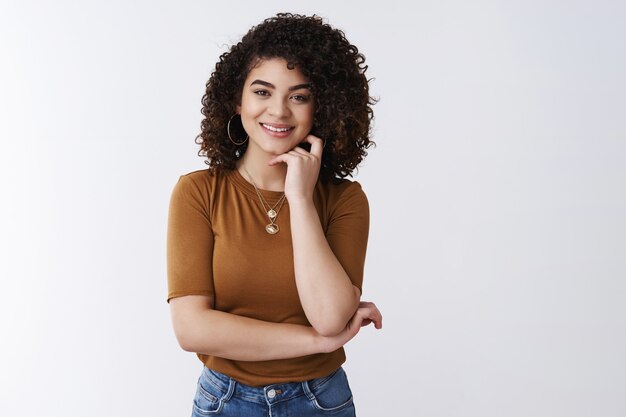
(335, 70)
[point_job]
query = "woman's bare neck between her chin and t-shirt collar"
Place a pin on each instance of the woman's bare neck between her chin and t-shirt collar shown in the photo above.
(266, 177)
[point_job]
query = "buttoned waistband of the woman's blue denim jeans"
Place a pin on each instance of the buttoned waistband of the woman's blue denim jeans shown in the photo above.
(268, 394)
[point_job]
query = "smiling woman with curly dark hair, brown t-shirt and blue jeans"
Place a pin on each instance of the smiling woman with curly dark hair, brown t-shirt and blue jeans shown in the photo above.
(266, 247)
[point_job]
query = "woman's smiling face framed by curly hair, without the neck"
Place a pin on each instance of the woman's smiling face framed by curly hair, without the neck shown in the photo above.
(276, 107)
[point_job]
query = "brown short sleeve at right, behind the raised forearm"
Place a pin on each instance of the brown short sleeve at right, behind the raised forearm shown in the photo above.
(348, 230)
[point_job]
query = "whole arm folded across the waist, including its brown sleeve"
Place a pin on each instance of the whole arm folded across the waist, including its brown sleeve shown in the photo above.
(198, 327)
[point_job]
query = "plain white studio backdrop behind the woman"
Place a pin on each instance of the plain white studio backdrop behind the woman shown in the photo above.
(498, 195)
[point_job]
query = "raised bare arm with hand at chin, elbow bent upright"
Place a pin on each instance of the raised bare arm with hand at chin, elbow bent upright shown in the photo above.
(326, 292)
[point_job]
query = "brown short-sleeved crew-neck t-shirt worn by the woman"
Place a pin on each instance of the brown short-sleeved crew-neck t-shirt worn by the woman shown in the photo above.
(217, 246)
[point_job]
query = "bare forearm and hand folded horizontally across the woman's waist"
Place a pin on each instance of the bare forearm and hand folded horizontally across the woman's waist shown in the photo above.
(203, 330)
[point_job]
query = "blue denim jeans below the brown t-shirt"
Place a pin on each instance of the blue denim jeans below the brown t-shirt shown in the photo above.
(218, 394)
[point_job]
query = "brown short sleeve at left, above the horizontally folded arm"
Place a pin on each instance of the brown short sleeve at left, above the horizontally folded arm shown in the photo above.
(189, 241)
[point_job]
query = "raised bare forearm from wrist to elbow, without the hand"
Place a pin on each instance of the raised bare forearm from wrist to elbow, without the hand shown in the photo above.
(326, 293)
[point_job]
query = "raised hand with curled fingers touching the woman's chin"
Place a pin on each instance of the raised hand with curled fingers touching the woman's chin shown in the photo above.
(302, 169)
